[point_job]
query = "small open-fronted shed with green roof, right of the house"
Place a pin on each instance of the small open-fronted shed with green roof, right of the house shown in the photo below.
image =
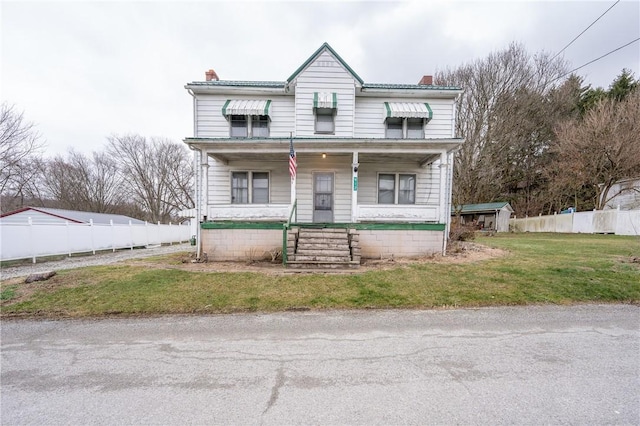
(486, 216)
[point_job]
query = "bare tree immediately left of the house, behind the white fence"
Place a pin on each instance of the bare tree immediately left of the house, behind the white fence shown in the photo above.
(157, 174)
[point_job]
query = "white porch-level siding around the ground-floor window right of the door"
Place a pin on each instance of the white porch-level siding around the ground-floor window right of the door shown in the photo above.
(427, 181)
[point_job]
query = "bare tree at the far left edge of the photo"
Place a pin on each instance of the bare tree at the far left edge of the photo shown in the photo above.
(19, 144)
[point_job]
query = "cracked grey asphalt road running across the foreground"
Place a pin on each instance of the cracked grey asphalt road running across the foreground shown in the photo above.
(525, 365)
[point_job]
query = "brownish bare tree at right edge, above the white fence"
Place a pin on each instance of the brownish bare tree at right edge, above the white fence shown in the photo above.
(603, 148)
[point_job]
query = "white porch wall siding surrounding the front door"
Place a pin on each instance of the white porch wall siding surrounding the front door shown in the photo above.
(341, 167)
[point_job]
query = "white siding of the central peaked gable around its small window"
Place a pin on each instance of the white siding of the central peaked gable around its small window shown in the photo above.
(325, 74)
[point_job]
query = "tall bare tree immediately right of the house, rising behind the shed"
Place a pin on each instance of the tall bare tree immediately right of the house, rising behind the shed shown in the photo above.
(500, 90)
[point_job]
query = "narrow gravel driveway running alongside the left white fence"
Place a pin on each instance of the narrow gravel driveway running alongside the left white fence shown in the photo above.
(103, 258)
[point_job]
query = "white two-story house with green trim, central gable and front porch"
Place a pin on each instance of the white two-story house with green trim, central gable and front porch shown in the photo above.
(374, 159)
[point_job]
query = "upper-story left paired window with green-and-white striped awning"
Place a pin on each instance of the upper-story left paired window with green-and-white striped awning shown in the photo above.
(247, 118)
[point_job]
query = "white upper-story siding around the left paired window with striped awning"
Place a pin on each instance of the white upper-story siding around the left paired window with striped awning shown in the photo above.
(210, 123)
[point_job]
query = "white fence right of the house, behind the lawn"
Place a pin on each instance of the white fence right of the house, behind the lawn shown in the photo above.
(620, 222)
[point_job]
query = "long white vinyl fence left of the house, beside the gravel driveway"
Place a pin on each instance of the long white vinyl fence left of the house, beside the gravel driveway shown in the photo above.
(32, 240)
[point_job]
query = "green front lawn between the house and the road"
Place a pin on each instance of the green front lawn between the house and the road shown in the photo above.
(539, 268)
